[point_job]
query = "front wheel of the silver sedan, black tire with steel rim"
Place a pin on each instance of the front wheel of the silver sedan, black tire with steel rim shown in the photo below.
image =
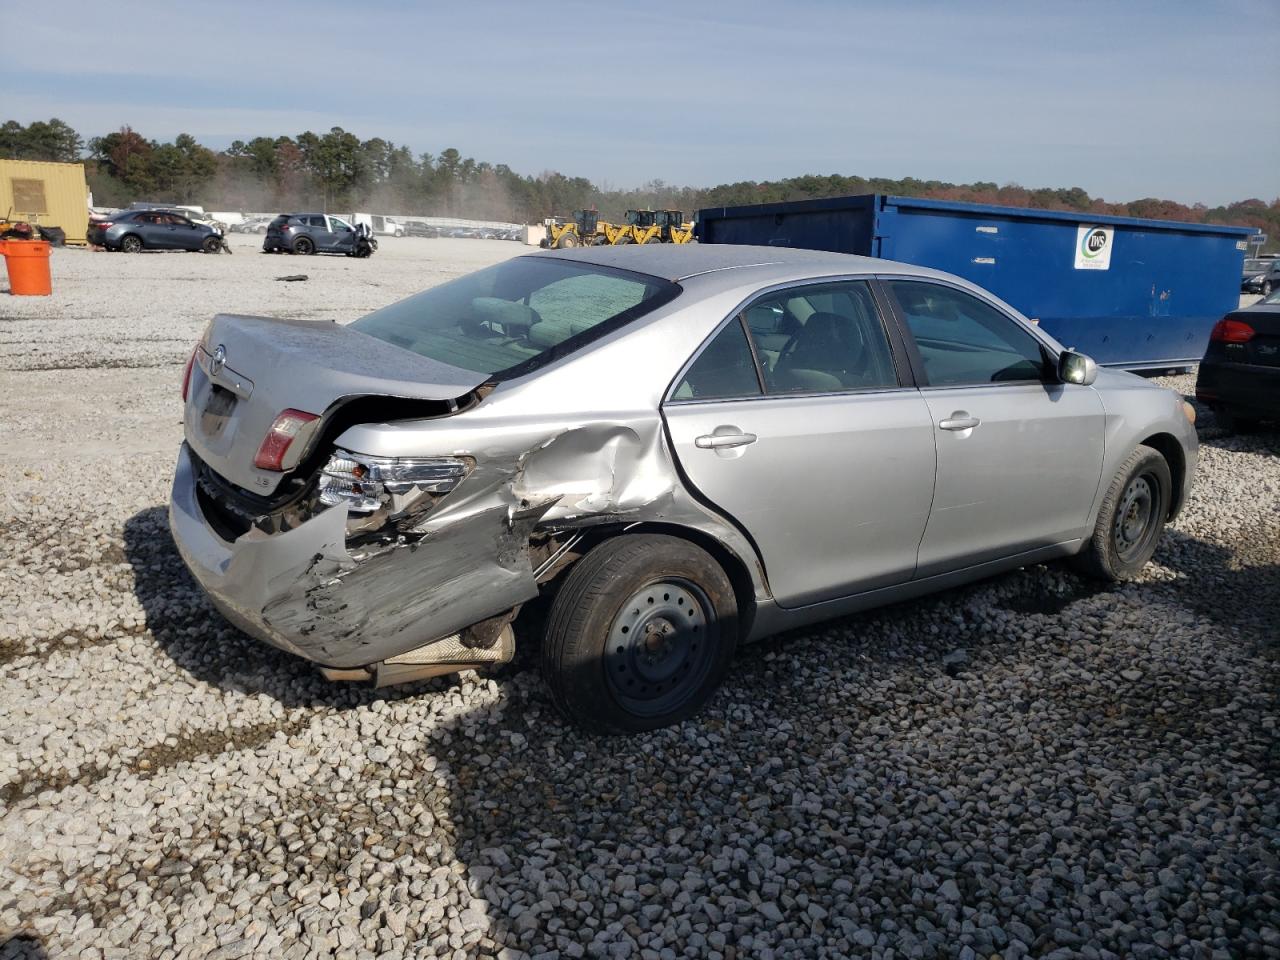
(1132, 519)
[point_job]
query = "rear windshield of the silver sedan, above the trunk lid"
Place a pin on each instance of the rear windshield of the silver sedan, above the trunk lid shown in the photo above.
(519, 316)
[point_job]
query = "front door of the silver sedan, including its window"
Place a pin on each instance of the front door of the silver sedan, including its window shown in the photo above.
(1020, 454)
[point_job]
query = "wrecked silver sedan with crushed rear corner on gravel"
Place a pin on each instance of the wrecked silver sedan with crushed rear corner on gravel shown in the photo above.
(669, 450)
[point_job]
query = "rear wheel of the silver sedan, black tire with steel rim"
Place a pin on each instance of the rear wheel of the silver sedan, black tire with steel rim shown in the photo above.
(612, 679)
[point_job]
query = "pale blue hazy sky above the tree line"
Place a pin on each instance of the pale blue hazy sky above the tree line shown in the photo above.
(1177, 99)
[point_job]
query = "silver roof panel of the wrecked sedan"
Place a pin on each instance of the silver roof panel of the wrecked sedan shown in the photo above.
(680, 262)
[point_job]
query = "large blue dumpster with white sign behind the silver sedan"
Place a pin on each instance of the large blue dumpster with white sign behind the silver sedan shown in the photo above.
(1141, 295)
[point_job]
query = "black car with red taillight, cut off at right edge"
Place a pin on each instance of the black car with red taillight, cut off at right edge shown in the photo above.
(1240, 377)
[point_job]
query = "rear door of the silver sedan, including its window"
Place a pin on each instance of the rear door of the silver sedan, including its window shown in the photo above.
(815, 440)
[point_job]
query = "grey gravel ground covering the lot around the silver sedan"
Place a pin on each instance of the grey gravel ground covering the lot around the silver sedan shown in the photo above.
(1096, 776)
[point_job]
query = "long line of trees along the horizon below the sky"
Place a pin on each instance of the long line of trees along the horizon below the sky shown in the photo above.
(337, 171)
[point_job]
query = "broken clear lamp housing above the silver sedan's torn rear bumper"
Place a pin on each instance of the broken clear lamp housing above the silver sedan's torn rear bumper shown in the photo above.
(385, 488)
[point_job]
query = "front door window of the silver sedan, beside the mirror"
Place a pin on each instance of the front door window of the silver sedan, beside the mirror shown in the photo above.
(964, 341)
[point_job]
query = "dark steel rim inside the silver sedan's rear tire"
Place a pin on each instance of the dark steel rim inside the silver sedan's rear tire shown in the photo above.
(661, 647)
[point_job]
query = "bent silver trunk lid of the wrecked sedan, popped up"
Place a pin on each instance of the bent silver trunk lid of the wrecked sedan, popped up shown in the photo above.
(250, 369)
